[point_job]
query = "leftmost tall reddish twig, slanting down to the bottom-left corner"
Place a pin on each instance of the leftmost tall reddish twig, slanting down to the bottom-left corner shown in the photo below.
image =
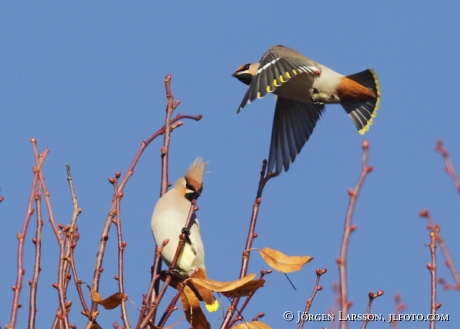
(21, 236)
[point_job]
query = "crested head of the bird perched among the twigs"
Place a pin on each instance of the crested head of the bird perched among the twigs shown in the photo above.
(191, 185)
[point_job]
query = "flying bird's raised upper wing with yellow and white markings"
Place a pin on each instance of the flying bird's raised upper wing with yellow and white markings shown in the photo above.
(277, 66)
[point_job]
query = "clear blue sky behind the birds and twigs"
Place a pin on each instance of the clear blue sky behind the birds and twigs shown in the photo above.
(86, 80)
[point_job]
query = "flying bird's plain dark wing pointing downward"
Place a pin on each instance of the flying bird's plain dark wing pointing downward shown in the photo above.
(293, 124)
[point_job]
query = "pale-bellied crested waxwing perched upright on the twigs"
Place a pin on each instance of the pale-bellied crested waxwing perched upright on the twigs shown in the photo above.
(168, 220)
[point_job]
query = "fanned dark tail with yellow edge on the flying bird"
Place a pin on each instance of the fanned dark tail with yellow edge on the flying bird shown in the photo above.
(363, 112)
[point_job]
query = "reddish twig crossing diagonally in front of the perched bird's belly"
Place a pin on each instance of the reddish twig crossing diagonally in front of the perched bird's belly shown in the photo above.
(182, 237)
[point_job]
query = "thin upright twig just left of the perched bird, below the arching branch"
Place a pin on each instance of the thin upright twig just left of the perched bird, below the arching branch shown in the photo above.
(121, 248)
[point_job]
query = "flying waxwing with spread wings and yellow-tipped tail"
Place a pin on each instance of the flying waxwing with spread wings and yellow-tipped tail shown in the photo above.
(302, 87)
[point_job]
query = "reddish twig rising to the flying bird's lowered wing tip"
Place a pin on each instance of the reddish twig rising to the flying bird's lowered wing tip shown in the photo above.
(264, 178)
